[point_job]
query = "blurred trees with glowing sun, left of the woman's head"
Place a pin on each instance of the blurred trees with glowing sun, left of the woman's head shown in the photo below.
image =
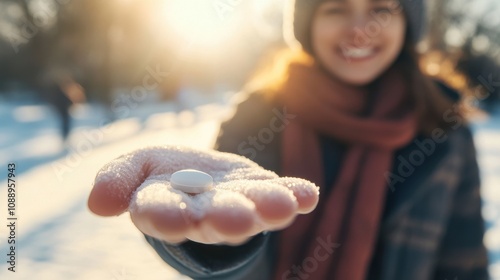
(108, 44)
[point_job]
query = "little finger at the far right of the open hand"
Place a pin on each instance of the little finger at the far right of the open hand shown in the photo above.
(306, 193)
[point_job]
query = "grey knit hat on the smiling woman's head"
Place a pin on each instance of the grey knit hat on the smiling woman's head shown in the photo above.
(299, 14)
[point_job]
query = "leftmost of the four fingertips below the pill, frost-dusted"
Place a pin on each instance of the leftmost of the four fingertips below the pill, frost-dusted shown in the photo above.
(161, 212)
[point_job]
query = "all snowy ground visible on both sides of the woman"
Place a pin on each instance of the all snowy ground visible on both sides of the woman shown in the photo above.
(58, 238)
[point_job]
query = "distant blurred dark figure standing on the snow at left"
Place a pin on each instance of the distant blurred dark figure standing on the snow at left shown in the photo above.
(62, 91)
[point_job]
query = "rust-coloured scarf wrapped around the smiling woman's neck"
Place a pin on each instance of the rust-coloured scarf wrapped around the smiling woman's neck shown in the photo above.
(336, 241)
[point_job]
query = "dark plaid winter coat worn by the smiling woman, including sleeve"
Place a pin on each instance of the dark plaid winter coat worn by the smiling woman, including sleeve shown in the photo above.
(431, 227)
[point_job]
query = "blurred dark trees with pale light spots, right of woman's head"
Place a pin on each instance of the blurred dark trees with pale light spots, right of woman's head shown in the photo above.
(464, 36)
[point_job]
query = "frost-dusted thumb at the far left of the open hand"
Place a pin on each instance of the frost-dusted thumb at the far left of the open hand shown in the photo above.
(116, 182)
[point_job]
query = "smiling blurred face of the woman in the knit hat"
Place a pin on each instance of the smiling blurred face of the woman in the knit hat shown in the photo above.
(357, 40)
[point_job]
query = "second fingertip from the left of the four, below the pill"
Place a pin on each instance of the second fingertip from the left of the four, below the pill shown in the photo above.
(231, 218)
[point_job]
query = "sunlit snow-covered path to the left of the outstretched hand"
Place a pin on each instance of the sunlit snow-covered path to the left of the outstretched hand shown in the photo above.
(57, 237)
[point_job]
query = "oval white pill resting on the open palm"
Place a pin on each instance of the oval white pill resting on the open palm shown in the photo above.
(191, 181)
